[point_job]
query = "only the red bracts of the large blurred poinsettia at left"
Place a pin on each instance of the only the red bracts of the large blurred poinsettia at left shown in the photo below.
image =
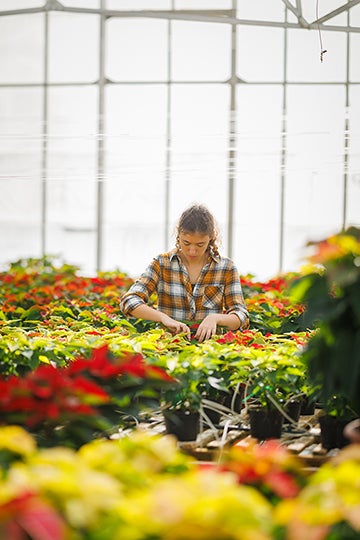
(61, 394)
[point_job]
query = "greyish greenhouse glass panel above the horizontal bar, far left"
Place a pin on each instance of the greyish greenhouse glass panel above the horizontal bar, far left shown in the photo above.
(22, 49)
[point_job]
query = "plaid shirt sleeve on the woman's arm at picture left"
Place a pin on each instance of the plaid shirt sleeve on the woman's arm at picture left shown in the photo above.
(140, 292)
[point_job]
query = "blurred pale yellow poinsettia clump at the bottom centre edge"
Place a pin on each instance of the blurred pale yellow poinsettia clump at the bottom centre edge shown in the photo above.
(199, 504)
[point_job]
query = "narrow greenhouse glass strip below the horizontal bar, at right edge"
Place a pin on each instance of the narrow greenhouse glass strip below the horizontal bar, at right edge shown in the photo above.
(353, 195)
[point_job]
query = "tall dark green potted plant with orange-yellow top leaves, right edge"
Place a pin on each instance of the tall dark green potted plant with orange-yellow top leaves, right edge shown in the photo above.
(331, 293)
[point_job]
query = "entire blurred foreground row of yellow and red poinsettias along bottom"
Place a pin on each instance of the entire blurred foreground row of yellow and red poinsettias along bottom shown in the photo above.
(142, 487)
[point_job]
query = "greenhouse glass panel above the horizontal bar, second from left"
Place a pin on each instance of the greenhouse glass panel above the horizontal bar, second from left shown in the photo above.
(73, 59)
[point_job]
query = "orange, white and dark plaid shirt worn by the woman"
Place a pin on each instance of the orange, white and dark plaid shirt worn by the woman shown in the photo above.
(217, 290)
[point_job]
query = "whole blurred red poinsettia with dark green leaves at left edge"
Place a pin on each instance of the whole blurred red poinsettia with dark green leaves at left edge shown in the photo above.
(88, 398)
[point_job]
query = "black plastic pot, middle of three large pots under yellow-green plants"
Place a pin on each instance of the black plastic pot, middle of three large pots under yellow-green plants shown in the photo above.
(265, 423)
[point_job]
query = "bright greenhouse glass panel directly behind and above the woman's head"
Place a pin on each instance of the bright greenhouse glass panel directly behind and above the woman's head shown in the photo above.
(199, 143)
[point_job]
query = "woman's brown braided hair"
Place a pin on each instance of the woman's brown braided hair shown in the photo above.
(198, 219)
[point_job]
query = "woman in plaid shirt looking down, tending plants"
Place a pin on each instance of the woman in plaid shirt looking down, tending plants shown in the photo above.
(193, 283)
